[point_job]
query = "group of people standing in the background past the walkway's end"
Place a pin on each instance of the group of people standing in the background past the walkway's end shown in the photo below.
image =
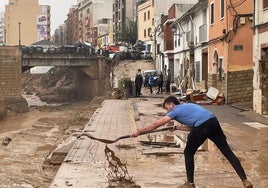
(150, 82)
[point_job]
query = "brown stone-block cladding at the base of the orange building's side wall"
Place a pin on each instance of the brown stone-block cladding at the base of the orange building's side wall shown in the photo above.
(240, 86)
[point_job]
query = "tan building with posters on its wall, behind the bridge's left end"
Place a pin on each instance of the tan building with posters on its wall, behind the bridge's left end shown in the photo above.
(26, 22)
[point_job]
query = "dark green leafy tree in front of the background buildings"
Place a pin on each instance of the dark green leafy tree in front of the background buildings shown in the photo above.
(128, 33)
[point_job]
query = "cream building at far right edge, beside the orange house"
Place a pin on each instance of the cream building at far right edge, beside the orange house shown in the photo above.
(260, 57)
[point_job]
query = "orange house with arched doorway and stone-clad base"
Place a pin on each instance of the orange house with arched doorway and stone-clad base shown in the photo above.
(230, 48)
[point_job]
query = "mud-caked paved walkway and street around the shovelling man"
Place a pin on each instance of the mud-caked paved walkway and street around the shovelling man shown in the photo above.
(157, 160)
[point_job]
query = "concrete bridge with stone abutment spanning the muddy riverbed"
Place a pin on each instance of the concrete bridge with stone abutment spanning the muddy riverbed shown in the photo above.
(91, 72)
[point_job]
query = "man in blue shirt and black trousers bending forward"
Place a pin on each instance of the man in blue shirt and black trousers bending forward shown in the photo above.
(202, 125)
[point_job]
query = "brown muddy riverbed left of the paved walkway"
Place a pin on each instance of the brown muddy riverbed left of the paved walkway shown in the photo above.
(29, 138)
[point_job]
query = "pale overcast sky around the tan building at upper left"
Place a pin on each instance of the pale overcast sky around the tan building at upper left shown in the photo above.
(59, 10)
